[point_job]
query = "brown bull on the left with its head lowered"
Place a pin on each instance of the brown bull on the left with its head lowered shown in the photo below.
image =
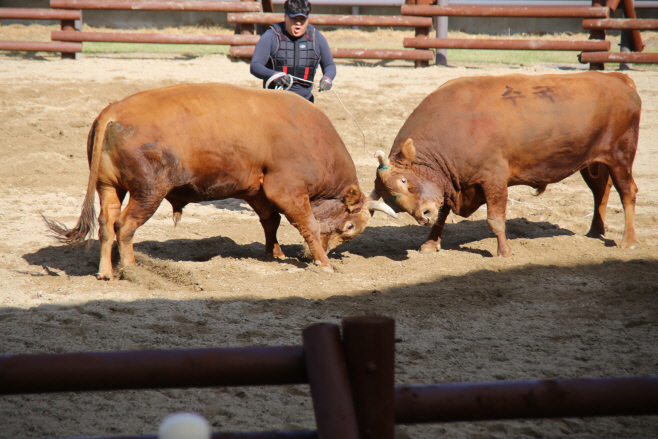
(200, 142)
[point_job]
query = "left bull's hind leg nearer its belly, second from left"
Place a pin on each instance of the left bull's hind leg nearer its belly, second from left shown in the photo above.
(134, 215)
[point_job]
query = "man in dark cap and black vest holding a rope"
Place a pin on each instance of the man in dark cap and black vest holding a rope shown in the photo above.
(293, 47)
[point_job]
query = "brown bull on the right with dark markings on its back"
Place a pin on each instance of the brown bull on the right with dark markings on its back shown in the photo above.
(473, 137)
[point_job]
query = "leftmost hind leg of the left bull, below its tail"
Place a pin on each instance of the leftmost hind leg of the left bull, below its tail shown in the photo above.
(110, 201)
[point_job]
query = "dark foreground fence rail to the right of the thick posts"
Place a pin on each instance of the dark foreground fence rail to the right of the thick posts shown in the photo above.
(526, 399)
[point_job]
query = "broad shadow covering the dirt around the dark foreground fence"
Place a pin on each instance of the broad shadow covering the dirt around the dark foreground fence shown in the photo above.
(528, 322)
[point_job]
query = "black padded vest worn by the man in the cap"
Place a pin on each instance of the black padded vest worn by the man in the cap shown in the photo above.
(297, 57)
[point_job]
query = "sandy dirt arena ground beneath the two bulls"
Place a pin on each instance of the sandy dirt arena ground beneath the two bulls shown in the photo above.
(565, 306)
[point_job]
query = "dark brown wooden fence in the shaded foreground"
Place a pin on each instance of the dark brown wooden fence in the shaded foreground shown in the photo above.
(351, 380)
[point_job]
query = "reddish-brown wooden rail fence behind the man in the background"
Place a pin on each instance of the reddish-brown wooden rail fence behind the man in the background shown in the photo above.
(246, 14)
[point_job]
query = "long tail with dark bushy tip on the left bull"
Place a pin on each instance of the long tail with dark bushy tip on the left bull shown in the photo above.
(86, 226)
